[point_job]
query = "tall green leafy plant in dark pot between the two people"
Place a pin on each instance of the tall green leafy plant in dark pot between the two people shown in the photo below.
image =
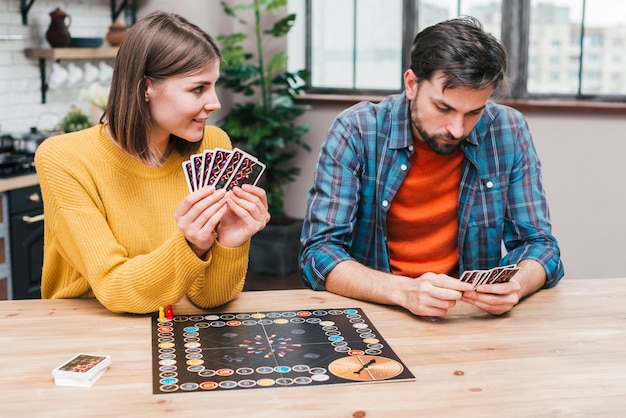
(264, 125)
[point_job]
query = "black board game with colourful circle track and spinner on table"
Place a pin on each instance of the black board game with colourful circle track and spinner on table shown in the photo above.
(209, 352)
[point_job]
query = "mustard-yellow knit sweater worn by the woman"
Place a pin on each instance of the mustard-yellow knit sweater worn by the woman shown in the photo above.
(109, 228)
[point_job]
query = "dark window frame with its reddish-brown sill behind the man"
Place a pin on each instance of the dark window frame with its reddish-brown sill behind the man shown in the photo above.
(516, 20)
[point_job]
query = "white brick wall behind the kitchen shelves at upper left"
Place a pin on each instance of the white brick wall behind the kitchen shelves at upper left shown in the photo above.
(20, 93)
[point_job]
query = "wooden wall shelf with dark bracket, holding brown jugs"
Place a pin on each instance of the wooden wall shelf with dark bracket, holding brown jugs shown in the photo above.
(57, 54)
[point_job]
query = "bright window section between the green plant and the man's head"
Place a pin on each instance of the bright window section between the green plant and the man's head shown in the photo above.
(349, 47)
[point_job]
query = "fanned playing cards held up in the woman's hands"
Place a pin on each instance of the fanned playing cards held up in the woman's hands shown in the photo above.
(222, 168)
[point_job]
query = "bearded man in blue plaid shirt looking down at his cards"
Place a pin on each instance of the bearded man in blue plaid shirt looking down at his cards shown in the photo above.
(426, 184)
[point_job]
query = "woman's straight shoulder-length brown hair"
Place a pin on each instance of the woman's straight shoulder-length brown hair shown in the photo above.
(159, 46)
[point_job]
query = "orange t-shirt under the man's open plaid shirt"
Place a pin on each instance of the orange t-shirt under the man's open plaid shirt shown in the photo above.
(422, 222)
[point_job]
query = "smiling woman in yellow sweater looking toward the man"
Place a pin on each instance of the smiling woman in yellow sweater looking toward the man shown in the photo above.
(120, 223)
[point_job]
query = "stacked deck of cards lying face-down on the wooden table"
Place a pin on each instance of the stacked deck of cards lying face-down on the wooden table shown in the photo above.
(81, 370)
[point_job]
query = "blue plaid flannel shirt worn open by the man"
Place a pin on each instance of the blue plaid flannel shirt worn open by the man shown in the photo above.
(366, 156)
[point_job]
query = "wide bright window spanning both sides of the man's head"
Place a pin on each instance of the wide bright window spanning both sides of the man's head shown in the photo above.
(568, 49)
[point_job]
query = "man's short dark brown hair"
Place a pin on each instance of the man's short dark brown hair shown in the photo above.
(466, 54)
